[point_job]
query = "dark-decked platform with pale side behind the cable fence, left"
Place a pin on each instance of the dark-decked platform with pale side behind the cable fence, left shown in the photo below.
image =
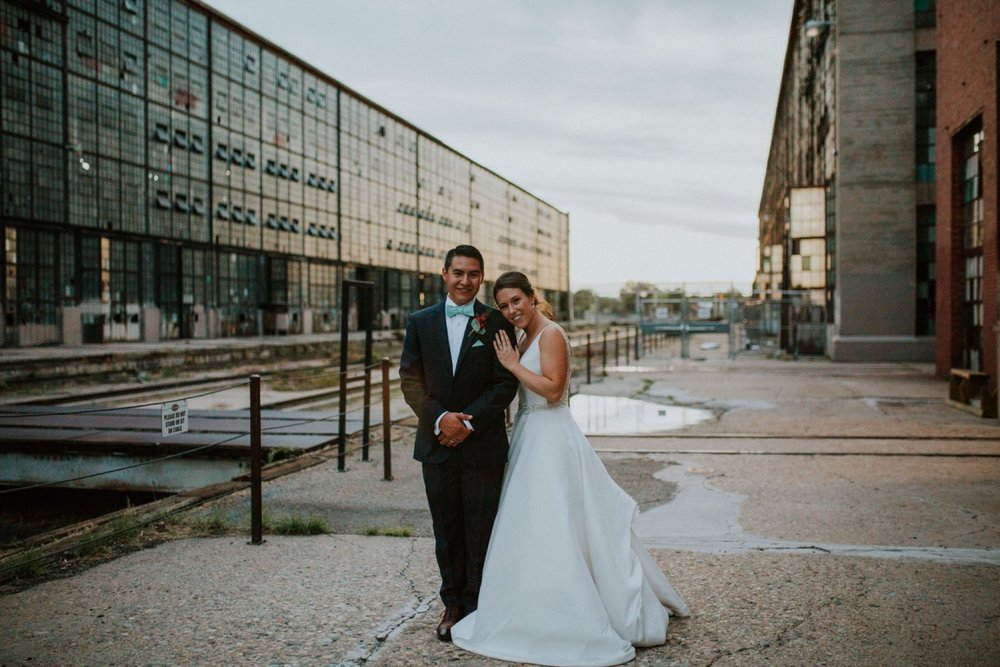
(45, 444)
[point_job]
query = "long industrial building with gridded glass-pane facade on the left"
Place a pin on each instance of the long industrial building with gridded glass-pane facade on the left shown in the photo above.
(165, 173)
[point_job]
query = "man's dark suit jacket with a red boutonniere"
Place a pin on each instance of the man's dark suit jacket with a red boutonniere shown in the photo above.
(480, 386)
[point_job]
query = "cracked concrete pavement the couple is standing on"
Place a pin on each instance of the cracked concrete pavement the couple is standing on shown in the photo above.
(827, 514)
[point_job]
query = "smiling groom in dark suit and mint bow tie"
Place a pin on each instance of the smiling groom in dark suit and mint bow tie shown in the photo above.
(451, 378)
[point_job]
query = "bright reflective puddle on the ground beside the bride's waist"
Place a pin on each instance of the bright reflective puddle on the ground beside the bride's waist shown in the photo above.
(615, 415)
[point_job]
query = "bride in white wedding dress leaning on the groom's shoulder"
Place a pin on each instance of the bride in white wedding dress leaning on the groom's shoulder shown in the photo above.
(566, 581)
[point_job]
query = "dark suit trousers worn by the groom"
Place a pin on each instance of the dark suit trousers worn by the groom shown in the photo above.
(463, 500)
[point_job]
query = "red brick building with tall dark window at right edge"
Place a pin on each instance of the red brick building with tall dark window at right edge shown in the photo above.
(968, 48)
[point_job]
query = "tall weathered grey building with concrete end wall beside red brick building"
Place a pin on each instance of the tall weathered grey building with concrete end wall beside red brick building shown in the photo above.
(847, 213)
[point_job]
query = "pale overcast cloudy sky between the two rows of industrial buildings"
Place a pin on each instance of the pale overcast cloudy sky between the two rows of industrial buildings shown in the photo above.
(648, 121)
